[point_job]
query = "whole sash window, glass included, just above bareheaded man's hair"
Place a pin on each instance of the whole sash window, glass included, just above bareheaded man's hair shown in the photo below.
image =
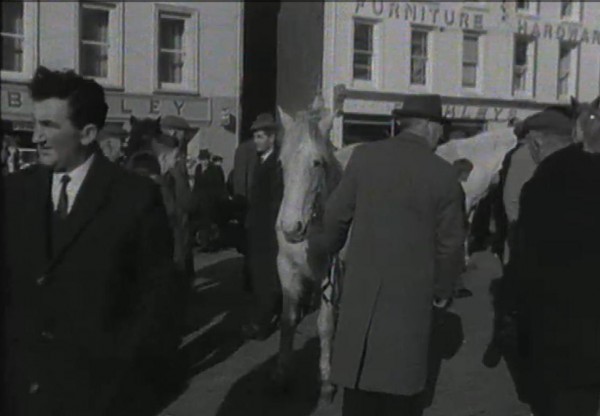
(100, 46)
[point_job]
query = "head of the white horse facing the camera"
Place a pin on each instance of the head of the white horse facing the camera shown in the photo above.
(310, 171)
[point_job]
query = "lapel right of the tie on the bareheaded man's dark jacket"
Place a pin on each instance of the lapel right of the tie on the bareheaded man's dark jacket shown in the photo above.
(92, 197)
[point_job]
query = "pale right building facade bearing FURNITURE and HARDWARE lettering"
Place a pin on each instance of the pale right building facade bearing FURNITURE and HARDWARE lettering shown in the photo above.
(492, 62)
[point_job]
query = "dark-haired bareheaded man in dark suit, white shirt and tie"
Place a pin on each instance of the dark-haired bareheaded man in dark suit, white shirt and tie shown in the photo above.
(88, 264)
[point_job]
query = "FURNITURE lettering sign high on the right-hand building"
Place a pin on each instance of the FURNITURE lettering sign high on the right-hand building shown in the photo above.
(423, 14)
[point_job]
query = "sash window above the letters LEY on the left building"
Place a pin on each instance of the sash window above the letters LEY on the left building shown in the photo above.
(177, 50)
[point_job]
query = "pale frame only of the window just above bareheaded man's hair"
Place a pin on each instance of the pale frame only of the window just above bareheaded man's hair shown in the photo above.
(116, 36)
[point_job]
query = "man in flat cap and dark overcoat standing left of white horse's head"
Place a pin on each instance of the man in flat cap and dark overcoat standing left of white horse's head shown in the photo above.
(265, 200)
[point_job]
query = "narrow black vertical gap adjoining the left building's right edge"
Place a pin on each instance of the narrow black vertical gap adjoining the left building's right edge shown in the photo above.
(259, 79)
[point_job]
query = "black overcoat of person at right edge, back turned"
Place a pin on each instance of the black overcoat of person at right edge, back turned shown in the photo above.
(558, 244)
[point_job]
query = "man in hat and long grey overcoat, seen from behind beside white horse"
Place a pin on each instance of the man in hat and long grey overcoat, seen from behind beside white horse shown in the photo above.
(405, 207)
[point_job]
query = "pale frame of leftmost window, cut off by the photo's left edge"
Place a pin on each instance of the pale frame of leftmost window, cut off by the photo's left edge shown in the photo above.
(30, 45)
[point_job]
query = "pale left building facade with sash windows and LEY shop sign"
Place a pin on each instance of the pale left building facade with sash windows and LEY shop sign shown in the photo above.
(153, 58)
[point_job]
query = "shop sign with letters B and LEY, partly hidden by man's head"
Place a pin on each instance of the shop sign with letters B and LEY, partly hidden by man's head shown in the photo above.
(121, 106)
